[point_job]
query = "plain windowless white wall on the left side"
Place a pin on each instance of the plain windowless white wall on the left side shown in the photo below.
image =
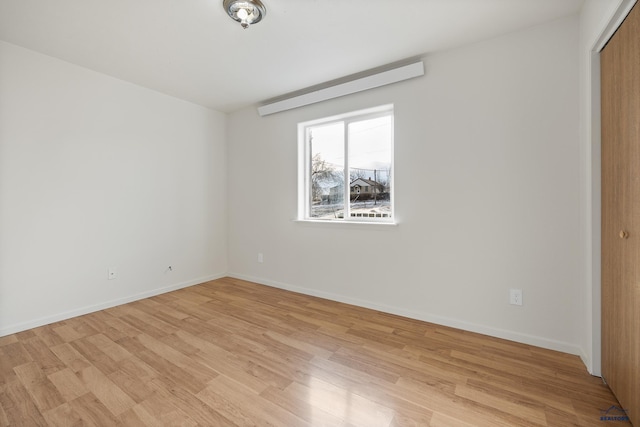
(97, 172)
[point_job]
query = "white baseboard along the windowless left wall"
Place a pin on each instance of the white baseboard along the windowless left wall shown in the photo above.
(19, 327)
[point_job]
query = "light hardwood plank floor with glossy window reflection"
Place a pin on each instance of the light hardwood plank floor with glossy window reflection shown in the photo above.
(230, 352)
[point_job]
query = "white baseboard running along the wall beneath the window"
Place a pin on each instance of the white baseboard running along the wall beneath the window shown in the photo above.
(426, 317)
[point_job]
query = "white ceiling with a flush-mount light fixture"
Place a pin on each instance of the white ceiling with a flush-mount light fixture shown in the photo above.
(192, 50)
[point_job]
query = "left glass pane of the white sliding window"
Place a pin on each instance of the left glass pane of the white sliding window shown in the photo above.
(326, 181)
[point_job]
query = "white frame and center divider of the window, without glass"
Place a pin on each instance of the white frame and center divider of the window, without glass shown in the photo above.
(304, 166)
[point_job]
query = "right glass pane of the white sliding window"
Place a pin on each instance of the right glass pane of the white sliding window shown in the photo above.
(370, 143)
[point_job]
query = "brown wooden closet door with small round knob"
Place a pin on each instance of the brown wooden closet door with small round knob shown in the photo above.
(620, 83)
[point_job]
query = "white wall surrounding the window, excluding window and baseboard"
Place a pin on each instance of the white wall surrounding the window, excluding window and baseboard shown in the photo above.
(487, 196)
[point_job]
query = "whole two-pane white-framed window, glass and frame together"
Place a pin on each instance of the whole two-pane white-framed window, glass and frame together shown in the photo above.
(355, 150)
